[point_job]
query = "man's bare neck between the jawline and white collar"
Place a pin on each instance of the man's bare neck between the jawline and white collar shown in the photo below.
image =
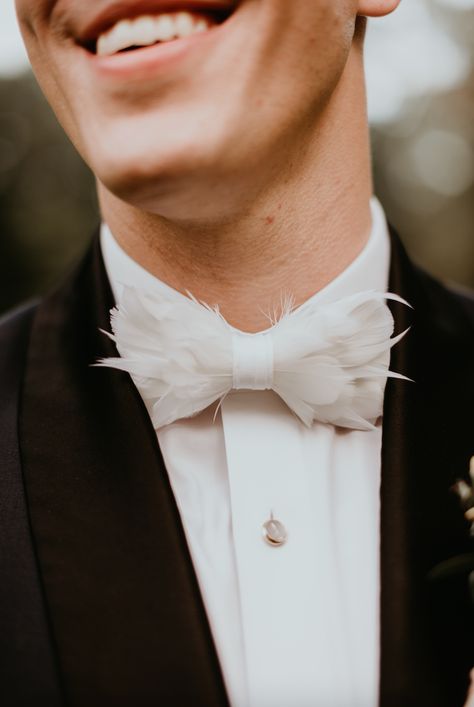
(294, 238)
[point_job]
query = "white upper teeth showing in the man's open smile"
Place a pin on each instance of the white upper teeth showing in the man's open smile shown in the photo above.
(146, 30)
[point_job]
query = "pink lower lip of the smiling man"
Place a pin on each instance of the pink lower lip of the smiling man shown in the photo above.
(148, 61)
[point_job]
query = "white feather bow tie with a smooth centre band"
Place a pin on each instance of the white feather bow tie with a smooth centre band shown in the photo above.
(327, 362)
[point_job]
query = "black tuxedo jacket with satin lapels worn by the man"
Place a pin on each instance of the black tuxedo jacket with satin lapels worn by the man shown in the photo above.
(99, 602)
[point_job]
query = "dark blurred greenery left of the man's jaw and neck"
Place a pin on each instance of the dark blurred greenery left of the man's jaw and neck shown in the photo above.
(48, 208)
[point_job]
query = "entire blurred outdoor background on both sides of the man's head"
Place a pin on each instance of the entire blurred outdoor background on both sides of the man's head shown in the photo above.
(420, 67)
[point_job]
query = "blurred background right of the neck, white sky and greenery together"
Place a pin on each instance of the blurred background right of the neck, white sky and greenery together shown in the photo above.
(424, 154)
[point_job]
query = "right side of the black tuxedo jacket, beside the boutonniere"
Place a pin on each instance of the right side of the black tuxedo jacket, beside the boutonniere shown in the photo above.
(428, 438)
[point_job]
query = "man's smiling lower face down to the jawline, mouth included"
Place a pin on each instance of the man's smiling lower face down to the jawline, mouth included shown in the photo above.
(159, 94)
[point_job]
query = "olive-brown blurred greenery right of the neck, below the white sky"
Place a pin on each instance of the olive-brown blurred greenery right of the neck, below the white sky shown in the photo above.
(424, 176)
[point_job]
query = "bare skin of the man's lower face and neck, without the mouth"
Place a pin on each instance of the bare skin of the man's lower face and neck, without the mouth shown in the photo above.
(239, 172)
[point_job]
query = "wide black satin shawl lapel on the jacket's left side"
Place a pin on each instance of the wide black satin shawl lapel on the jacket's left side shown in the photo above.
(125, 606)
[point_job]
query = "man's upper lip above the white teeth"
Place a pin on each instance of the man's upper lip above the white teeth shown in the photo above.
(118, 10)
